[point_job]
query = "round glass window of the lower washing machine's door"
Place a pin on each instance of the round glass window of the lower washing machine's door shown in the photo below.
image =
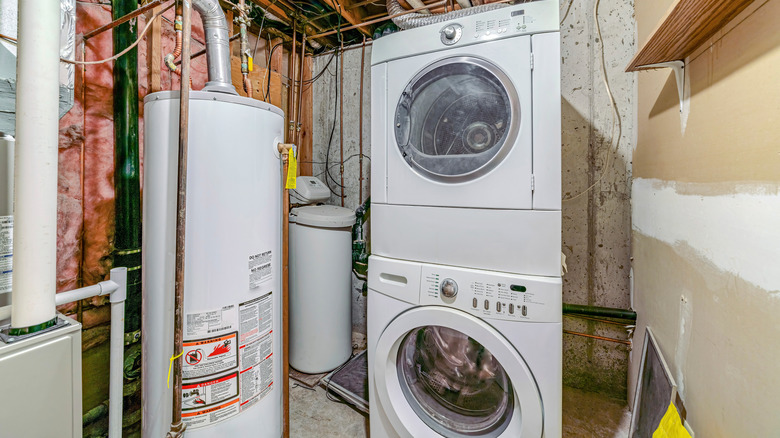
(453, 383)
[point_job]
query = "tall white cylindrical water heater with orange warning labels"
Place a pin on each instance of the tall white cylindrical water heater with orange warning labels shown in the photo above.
(232, 278)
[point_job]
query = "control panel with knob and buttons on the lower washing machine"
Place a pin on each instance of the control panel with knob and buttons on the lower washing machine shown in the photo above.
(492, 295)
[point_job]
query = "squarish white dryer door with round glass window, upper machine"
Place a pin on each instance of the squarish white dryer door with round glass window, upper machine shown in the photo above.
(459, 128)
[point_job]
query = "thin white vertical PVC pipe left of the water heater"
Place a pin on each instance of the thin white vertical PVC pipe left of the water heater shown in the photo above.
(117, 350)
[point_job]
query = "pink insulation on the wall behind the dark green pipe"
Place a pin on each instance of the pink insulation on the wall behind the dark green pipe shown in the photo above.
(98, 139)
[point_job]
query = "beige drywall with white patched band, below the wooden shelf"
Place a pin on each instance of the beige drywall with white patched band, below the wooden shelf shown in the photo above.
(705, 223)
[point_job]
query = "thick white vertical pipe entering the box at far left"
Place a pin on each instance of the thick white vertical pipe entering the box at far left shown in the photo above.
(35, 191)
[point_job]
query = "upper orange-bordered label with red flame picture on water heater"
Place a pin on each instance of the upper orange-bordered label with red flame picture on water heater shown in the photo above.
(210, 356)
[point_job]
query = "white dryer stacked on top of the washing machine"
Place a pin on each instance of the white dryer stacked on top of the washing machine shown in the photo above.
(466, 141)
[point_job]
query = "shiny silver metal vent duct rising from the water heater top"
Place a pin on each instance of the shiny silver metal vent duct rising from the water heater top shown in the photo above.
(217, 46)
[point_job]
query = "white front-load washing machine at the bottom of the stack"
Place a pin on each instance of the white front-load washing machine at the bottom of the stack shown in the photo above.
(456, 352)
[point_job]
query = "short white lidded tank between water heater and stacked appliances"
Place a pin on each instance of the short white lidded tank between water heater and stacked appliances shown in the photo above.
(320, 287)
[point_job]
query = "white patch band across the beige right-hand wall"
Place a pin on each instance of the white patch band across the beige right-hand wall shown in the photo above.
(737, 231)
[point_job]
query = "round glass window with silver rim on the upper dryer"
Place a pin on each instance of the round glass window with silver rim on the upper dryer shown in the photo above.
(457, 119)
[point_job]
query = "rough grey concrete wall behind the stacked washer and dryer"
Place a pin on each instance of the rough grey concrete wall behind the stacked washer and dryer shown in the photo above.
(596, 225)
